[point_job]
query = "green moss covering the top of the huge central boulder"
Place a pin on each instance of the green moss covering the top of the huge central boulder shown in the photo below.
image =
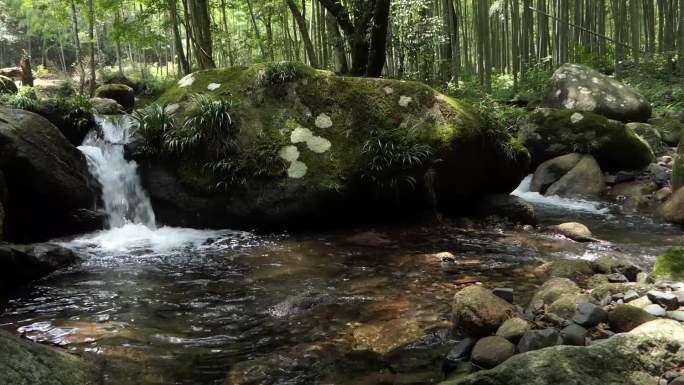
(273, 99)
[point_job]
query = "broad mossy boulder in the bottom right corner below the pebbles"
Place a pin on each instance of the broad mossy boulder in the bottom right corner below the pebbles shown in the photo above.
(636, 358)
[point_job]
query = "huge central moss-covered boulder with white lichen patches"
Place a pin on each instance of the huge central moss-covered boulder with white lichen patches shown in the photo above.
(320, 148)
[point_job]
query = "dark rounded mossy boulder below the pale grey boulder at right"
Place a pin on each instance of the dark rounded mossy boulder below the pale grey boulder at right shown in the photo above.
(550, 133)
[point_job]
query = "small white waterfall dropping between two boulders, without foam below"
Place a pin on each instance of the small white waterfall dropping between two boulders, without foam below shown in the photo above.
(125, 201)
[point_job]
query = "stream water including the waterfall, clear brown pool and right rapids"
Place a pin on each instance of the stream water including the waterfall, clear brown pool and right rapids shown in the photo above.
(163, 305)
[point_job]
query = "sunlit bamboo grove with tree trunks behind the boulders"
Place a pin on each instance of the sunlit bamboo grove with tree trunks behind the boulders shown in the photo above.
(431, 40)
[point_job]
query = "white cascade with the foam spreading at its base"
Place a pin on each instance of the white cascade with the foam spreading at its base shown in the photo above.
(132, 225)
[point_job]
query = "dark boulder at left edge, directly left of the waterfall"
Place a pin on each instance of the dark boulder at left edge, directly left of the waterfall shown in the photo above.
(47, 179)
